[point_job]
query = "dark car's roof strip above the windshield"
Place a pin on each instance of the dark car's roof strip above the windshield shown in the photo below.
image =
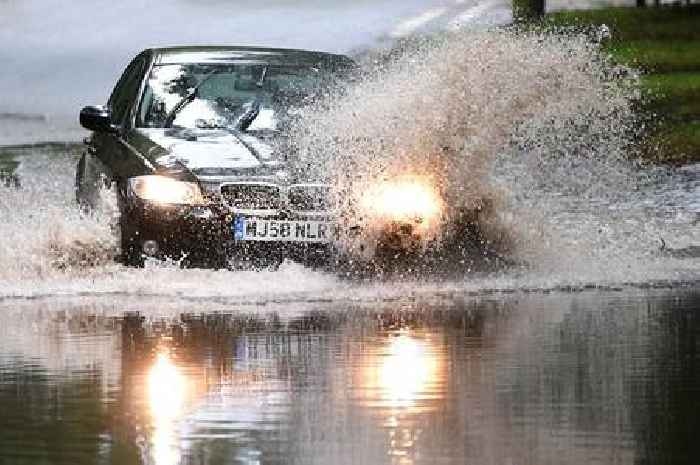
(245, 54)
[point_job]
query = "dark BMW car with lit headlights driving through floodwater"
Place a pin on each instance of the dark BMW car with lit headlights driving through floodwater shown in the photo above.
(196, 142)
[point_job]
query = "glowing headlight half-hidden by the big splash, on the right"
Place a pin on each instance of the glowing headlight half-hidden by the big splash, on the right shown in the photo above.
(403, 199)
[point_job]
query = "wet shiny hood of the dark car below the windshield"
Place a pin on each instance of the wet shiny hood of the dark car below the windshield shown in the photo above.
(216, 152)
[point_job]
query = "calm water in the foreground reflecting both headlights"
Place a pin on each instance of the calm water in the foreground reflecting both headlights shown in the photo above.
(532, 379)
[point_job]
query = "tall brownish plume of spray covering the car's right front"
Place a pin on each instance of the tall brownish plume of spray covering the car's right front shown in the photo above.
(540, 127)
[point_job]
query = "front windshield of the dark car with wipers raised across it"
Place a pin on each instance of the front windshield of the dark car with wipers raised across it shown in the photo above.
(241, 96)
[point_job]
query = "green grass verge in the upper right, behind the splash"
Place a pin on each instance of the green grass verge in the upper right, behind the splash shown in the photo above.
(665, 44)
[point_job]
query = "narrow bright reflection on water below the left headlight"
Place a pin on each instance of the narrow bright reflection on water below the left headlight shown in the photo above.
(166, 395)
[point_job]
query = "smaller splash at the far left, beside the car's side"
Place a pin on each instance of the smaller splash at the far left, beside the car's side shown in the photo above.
(43, 233)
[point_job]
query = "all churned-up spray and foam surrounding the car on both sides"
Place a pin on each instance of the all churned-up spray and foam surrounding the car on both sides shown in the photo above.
(540, 127)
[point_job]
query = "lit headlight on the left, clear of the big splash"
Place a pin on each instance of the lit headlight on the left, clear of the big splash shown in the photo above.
(163, 189)
